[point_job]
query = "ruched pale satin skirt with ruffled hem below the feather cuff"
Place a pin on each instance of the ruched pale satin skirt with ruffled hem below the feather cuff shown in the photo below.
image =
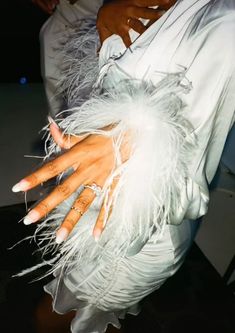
(119, 283)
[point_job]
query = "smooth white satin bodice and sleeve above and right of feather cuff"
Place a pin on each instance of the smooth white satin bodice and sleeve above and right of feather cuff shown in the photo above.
(187, 38)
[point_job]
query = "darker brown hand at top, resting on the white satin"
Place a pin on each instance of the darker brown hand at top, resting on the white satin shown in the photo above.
(119, 16)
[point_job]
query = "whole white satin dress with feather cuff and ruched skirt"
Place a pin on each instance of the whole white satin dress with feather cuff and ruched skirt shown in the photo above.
(186, 60)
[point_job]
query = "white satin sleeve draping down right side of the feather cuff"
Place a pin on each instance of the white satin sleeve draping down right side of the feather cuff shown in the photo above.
(211, 105)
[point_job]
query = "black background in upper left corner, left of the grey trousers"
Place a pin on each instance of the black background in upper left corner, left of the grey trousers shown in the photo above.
(20, 25)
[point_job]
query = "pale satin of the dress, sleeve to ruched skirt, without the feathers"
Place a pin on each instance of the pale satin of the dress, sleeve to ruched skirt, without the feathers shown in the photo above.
(189, 36)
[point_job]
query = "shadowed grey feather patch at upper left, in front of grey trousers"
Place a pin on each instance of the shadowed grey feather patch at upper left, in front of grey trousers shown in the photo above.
(79, 67)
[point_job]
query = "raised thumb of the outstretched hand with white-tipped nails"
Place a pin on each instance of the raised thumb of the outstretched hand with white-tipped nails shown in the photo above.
(64, 141)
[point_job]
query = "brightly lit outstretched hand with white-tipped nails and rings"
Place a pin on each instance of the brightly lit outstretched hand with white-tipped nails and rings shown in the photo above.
(92, 159)
